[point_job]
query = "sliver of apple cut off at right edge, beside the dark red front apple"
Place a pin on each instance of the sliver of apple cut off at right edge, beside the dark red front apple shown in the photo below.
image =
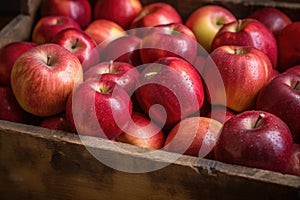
(294, 164)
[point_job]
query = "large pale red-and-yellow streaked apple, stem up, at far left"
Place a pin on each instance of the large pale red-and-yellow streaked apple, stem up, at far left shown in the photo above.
(43, 77)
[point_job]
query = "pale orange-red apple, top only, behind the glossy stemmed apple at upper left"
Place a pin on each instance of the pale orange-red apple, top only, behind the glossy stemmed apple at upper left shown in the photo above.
(102, 30)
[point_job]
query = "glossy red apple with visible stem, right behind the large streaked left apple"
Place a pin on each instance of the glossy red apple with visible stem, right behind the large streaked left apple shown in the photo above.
(77, 42)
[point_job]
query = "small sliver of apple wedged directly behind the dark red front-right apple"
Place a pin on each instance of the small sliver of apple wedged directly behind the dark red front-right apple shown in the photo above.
(221, 113)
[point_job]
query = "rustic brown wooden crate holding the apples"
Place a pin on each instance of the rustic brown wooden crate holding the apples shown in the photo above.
(38, 163)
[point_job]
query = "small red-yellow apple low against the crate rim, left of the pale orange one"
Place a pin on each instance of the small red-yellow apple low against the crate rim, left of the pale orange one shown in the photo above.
(142, 132)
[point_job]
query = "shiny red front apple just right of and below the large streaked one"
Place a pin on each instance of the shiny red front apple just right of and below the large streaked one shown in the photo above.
(101, 109)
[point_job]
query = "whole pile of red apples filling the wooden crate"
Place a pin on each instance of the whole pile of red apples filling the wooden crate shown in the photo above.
(210, 86)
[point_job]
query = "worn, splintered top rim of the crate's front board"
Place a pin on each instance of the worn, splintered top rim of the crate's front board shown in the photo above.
(210, 167)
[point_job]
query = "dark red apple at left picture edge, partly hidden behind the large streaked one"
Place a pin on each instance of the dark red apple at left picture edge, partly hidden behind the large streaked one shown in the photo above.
(8, 55)
